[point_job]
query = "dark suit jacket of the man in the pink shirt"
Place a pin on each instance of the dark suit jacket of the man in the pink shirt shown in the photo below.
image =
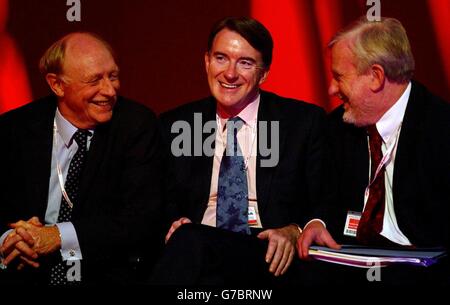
(286, 193)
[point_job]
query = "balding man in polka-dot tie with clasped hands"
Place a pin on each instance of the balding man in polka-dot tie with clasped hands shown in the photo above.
(79, 173)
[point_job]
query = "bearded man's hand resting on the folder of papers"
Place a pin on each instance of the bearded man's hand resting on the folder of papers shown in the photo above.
(316, 233)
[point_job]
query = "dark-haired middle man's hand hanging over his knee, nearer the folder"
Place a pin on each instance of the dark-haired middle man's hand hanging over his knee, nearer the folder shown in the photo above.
(281, 249)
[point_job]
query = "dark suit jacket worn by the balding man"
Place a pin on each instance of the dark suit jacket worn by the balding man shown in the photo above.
(120, 191)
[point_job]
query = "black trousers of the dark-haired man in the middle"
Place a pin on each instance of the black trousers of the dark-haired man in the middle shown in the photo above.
(203, 255)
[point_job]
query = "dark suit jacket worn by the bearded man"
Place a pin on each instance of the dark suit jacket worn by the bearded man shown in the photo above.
(421, 171)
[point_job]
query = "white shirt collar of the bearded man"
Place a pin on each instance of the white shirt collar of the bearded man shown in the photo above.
(391, 120)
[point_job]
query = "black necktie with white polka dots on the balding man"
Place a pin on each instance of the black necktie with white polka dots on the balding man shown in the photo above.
(58, 273)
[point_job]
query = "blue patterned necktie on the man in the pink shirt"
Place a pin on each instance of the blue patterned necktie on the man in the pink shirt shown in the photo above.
(232, 192)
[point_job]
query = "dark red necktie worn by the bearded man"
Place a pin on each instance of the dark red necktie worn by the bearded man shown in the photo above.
(371, 222)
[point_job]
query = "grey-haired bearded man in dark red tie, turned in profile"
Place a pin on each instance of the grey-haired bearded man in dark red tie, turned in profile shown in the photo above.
(390, 140)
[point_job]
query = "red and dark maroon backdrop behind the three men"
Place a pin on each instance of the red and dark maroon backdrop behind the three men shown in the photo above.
(161, 43)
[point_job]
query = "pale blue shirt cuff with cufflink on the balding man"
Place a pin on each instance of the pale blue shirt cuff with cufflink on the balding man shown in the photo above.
(70, 247)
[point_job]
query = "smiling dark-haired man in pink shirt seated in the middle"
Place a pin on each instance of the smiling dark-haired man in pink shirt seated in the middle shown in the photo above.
(238, 205)
